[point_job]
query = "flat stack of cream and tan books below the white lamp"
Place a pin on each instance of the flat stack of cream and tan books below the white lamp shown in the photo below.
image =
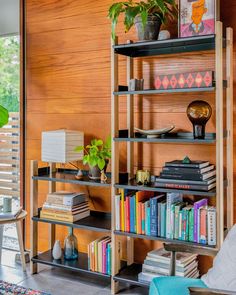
(65, 206)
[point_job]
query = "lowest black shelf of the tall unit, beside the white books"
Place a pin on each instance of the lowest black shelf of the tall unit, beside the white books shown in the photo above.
(129, 274)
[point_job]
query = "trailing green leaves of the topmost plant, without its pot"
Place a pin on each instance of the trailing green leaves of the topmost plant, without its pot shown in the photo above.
(163, 9)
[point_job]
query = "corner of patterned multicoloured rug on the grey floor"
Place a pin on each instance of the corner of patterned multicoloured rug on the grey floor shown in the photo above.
(12, 289)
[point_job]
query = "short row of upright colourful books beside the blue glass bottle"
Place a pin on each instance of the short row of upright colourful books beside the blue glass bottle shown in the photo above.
(99, 255)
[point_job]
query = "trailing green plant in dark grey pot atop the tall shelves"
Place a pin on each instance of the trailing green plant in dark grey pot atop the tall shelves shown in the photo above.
(146, 16)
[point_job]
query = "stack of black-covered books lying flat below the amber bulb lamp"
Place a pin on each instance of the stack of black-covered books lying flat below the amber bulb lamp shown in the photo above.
(196, 175)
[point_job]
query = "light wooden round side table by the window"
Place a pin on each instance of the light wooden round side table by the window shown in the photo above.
(17, 221)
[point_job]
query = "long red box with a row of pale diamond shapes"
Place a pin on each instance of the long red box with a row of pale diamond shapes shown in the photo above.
(185, 80)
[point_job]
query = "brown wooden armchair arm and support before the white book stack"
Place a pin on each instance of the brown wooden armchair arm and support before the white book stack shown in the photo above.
(175, 247)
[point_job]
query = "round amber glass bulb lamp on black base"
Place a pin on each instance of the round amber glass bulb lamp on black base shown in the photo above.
(199, 112)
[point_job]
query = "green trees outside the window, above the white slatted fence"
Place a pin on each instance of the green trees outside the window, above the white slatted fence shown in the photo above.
(10, 73)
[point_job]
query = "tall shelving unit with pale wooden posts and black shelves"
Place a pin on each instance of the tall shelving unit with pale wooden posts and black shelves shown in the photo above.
(222, 138)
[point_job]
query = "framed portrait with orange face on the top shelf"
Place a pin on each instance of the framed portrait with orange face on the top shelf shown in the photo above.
(197, 17)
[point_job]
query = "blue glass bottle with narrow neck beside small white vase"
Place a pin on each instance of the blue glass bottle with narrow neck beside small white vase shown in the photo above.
(71, 246)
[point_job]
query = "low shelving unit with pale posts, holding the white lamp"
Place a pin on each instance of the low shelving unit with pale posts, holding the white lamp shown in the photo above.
(97, 221)
